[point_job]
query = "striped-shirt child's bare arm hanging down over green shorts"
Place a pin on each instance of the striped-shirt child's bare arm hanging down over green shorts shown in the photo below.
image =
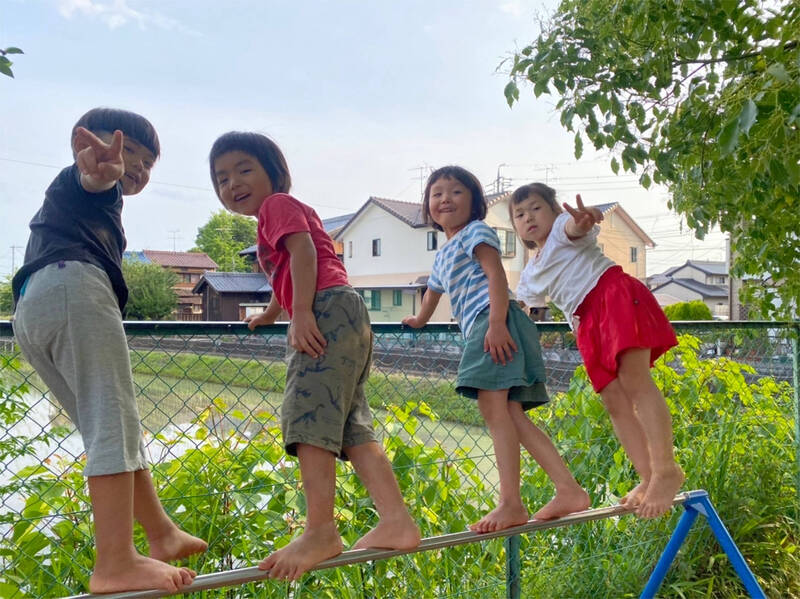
(498, 340)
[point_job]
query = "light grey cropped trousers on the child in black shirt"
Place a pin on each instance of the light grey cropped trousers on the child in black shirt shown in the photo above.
(69, 327)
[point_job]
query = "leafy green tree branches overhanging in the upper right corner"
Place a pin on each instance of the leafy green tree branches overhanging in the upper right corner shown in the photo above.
(700, 96)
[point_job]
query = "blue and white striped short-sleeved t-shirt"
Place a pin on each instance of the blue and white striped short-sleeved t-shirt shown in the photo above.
(457, 272)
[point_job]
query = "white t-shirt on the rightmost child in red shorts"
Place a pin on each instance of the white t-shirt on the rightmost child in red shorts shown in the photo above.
(565, 269)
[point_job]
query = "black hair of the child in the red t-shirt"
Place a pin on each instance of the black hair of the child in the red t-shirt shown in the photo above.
(262, 148)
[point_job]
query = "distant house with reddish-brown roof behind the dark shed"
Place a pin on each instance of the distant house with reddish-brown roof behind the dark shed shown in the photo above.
(190, 267)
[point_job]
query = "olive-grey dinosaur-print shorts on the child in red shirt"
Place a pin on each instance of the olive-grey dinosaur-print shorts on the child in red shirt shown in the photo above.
(324, 403)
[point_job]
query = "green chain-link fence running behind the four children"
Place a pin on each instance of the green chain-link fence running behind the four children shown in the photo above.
(209, 398)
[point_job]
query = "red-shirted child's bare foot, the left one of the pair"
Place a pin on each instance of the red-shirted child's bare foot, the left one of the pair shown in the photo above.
(315, 545)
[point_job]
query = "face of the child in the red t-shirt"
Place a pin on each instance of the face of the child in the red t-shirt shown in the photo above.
(242, 183)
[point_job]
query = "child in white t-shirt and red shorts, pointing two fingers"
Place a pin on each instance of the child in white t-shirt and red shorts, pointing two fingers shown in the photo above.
(620, 329)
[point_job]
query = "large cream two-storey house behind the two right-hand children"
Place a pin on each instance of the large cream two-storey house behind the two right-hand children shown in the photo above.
(389, 251)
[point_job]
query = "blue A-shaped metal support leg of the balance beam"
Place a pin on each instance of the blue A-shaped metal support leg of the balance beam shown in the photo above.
(699, 503)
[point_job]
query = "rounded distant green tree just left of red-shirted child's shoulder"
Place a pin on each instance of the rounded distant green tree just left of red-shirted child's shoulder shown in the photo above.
(224, 236)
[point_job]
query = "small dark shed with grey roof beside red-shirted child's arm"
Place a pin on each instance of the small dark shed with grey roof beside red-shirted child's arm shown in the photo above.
(232, 296)
